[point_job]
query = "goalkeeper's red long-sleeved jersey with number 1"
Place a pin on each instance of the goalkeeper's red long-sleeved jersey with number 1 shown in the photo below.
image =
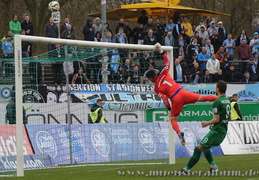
(165, 86)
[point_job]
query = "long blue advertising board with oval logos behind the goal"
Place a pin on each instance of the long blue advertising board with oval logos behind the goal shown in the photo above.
(113, 141)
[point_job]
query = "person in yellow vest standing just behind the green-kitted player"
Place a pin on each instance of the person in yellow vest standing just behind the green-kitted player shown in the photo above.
(236, 114)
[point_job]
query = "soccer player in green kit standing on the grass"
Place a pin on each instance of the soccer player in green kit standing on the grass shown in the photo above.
(219, 126)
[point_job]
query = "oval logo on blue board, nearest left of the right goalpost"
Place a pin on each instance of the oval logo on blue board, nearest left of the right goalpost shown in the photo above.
(147, 141)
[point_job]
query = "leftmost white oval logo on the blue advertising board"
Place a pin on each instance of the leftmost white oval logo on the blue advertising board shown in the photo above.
(46, 143)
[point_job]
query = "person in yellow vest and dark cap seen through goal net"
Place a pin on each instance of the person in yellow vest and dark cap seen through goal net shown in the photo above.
(96, 113)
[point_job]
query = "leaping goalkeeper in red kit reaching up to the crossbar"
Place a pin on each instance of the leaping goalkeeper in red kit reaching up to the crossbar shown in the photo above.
(167, 89)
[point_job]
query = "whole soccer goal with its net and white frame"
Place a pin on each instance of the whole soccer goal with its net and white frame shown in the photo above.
(49, 105)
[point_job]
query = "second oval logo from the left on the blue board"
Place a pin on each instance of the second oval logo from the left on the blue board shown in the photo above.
(100, 143)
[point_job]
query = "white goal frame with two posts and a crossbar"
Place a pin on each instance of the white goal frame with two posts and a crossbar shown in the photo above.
(19, 92)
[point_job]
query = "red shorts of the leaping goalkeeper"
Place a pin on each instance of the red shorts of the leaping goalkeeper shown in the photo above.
(180, 99)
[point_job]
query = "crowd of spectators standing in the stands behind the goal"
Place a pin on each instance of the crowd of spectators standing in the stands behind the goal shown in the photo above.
(202, 54)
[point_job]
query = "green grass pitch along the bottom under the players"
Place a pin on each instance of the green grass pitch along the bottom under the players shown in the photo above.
(243, 163)
